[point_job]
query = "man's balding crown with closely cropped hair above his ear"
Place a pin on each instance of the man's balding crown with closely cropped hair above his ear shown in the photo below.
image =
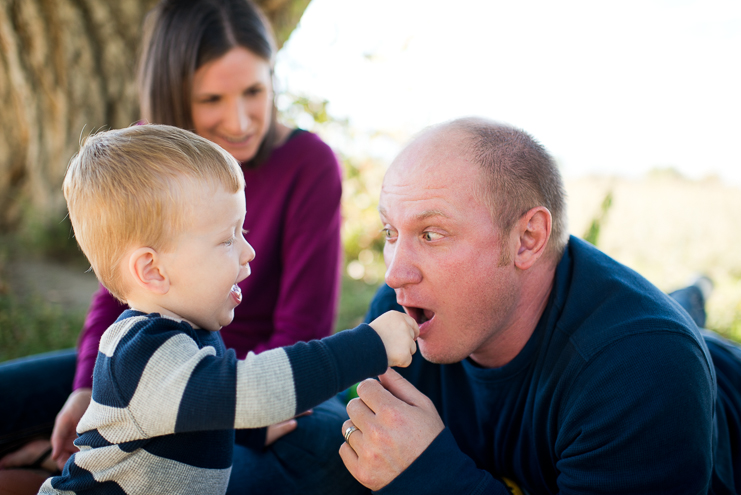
(517, 172)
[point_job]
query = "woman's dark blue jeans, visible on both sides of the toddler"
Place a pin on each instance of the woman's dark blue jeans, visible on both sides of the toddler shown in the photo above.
(305, 461)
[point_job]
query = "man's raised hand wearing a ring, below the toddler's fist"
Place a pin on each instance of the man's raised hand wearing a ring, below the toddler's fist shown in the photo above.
(395, 424)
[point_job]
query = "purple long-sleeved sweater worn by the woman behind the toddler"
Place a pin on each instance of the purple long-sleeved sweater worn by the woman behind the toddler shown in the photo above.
(293, 219)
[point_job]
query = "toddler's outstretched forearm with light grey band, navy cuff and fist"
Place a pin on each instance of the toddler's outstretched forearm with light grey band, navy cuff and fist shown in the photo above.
(277, 387)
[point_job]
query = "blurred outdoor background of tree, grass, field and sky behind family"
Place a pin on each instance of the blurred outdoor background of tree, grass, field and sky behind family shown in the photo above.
(638, 101)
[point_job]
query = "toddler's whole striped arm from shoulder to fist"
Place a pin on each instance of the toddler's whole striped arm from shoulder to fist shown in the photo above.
(169, 385)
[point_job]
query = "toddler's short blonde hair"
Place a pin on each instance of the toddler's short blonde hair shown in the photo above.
(130, 186)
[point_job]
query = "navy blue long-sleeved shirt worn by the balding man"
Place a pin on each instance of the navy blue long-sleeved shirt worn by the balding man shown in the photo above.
(615, 392)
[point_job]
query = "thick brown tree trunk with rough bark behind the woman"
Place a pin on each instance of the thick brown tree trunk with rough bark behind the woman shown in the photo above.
(68, 68)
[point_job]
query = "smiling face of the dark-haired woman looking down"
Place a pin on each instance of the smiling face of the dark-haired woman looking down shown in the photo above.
(232, 102)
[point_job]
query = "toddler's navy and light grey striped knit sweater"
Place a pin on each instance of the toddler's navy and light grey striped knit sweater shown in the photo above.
(167, 399)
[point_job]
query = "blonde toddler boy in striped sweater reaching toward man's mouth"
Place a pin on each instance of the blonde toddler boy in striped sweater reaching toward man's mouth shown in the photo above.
(158, 211)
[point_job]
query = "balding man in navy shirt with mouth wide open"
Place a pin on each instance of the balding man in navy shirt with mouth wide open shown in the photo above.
(545, 365)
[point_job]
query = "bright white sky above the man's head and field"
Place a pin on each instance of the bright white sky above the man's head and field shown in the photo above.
(609, 88)
